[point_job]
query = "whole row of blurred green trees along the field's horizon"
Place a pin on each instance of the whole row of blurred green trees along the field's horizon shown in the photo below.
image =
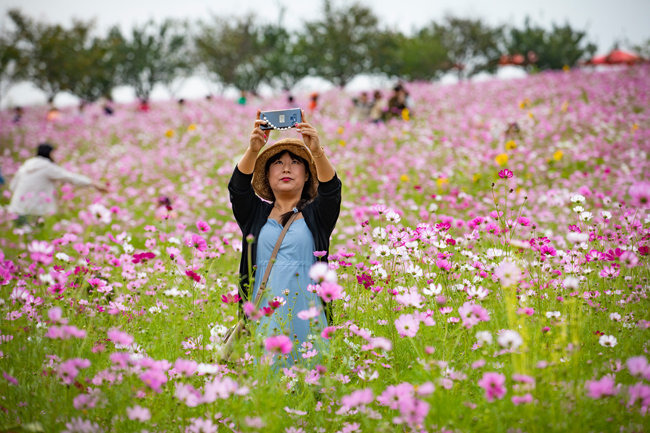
(246, 53)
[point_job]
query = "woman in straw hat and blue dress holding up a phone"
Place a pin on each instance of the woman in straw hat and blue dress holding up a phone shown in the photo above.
(292, 176)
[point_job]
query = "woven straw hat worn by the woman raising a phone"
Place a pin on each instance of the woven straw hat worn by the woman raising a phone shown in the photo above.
(293, 145)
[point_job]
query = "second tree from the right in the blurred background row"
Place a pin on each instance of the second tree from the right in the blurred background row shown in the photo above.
(472, 46)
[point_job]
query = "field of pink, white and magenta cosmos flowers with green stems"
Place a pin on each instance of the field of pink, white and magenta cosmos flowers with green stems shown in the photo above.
(489, 269)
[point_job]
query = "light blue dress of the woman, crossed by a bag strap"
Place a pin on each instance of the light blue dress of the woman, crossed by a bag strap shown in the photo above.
(289, 279)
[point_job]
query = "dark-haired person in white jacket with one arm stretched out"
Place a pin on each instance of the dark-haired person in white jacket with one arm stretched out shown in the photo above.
(34, 188)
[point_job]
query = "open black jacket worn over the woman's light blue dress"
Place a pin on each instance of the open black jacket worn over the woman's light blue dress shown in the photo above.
(251, 213)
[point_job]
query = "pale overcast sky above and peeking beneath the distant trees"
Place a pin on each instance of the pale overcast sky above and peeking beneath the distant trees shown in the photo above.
(605, 21)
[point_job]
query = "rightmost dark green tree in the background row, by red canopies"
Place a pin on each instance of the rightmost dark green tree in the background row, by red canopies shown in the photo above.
(543, 49)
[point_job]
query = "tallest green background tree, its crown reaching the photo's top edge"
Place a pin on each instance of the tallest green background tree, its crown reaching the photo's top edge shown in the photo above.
(341, 44)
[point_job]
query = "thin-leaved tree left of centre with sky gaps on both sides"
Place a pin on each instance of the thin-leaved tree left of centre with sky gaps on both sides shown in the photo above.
(155, 54)
